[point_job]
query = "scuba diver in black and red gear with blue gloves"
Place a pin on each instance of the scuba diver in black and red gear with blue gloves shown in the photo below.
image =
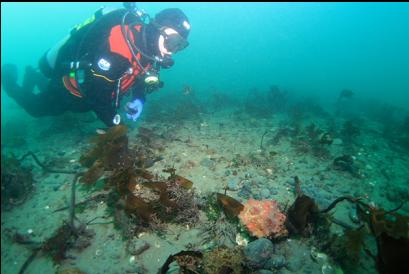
(114, 53)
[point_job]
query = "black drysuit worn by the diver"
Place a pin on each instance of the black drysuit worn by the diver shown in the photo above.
(86, 45)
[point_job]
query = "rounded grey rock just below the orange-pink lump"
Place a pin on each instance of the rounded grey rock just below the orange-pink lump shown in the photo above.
(259, 252)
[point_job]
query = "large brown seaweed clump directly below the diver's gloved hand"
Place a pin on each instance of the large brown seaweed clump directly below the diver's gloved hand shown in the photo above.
(137, 198)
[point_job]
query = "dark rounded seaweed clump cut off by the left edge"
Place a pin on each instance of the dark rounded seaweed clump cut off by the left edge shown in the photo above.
(17, 182)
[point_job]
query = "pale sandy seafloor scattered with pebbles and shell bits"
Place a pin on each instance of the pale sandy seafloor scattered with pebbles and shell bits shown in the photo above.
(206, 158)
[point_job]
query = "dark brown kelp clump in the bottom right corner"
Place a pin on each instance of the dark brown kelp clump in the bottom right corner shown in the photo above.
(389, 229)
